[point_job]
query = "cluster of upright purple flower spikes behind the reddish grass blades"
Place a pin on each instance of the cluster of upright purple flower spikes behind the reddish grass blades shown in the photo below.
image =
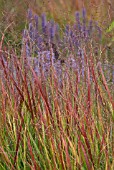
(45, 48)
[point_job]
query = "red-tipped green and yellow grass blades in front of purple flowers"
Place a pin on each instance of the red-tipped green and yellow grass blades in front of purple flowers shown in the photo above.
(51, 124)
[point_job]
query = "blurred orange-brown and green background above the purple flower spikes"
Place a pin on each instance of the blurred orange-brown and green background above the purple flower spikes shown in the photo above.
(13, 13)
